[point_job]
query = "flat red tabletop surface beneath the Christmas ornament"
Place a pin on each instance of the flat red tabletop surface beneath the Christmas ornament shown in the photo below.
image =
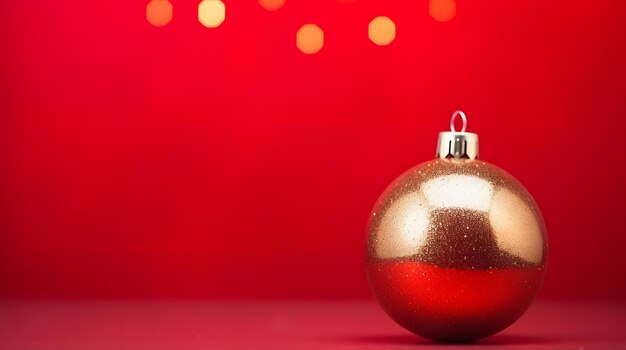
(282, 325)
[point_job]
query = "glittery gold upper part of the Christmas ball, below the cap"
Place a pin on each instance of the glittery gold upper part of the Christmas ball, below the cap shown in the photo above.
(458, 214)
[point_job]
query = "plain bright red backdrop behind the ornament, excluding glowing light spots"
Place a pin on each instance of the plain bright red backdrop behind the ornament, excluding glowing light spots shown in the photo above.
(190, 162)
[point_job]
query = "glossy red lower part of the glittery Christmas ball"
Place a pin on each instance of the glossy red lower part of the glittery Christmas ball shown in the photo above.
(449, 304)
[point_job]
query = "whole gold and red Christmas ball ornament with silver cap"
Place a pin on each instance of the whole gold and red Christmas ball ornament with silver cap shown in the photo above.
(456, 247)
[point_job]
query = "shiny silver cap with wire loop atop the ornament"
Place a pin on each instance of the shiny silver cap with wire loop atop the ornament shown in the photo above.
(457, 144)
